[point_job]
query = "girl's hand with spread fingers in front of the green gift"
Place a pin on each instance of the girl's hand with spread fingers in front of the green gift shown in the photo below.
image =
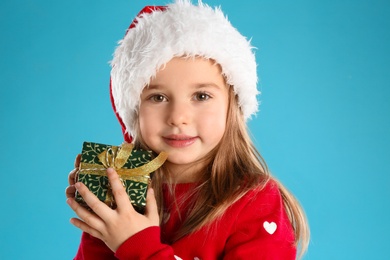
(113, 227)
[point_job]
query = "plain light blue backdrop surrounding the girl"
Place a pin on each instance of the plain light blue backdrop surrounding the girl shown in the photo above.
(323, 128)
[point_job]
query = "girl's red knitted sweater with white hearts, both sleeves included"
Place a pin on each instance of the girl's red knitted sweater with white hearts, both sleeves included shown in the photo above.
(255, 227)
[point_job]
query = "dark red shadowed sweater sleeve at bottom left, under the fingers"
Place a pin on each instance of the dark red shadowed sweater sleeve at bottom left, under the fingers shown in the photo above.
(93, 248)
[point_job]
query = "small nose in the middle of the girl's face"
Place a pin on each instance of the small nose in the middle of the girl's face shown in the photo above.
(180, 113)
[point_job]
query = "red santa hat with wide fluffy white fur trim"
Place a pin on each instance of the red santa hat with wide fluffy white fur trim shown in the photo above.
(179, 29)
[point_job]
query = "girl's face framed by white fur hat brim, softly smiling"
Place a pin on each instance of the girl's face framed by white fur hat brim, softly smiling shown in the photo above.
(184, 109)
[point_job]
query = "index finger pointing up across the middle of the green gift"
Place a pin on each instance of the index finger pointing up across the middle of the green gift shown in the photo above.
(121, 198)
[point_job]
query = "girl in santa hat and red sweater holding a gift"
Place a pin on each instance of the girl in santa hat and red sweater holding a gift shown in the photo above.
(183, 81)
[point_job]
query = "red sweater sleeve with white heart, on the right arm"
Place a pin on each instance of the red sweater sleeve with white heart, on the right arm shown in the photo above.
(262, 229)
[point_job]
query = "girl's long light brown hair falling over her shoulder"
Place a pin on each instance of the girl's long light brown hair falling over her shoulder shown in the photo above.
(231, 169)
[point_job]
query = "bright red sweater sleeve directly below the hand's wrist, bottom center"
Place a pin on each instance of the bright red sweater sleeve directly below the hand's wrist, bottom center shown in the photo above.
(145, 244)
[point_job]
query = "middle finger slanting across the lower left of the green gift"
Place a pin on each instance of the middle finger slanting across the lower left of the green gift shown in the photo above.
(100, 208)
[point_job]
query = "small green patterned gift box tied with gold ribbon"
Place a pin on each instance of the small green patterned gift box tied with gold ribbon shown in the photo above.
(132, 165)
